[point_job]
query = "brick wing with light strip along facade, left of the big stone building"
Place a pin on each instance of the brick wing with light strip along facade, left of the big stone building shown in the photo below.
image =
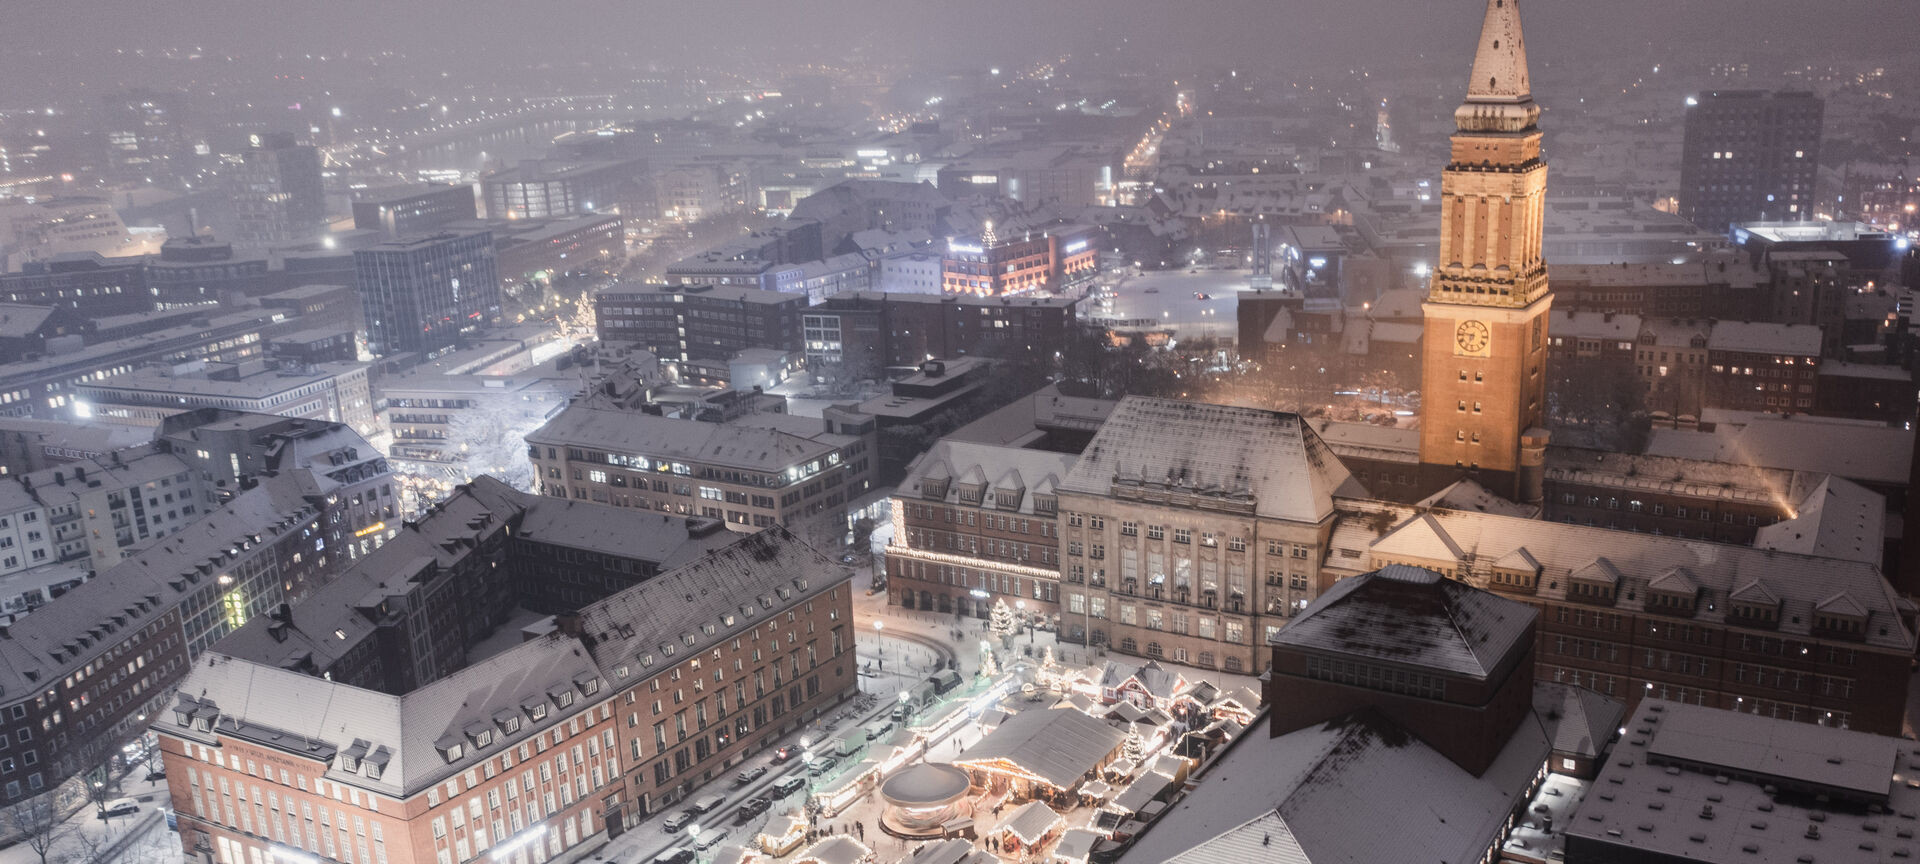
(976, 525)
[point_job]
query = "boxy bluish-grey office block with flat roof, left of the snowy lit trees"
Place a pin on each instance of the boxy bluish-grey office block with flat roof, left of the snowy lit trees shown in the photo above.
(421, 295)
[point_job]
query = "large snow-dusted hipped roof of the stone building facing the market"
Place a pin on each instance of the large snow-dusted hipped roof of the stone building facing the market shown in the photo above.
(1268, 460)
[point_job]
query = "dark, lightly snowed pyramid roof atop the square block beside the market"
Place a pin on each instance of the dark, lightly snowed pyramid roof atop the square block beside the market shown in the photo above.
(1414, 617)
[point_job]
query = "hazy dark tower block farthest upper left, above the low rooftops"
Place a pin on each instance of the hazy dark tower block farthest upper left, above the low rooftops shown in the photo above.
(277, 193)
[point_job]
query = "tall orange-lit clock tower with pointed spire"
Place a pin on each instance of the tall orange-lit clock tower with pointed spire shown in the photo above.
(1483, 373)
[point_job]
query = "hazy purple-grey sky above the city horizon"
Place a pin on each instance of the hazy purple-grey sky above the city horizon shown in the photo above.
(1308, 32)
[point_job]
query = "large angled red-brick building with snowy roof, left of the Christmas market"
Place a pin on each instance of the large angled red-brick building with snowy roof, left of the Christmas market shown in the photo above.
(548, 746)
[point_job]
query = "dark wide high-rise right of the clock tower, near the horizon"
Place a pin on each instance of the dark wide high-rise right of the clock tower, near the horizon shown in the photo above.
(1750, 156)
